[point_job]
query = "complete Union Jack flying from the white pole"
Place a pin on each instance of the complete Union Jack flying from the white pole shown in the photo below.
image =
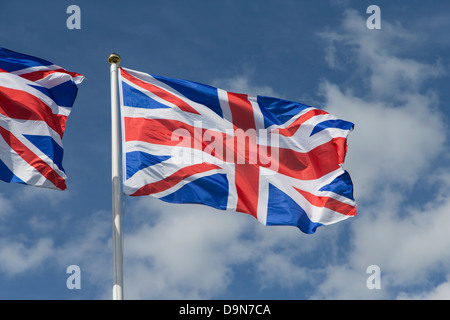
(279, 161)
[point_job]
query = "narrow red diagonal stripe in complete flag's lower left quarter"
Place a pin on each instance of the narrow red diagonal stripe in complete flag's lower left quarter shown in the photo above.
(174, 179)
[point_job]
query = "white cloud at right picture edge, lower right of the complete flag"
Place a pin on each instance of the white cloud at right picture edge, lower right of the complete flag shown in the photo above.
(408, 248)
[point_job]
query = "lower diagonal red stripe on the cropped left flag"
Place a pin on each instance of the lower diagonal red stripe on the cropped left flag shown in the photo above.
(32, 159)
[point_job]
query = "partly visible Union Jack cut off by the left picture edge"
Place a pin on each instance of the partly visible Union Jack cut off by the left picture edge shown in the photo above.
(36, 98)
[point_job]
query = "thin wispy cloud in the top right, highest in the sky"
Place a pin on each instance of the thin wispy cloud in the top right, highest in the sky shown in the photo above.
(380, 56)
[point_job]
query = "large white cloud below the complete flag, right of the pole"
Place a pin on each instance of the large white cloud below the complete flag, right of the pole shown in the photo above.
(194, 252)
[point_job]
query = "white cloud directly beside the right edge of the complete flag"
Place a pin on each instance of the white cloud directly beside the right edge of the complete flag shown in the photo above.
(391, 144)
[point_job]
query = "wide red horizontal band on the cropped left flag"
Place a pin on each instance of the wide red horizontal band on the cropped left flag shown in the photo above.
(22, 105)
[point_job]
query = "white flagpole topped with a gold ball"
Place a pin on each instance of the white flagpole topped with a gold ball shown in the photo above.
(114, 60)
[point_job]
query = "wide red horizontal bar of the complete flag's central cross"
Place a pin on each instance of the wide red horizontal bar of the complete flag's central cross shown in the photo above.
(310, 165)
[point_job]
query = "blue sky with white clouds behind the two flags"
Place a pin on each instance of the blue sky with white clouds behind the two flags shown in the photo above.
(392, 83)
